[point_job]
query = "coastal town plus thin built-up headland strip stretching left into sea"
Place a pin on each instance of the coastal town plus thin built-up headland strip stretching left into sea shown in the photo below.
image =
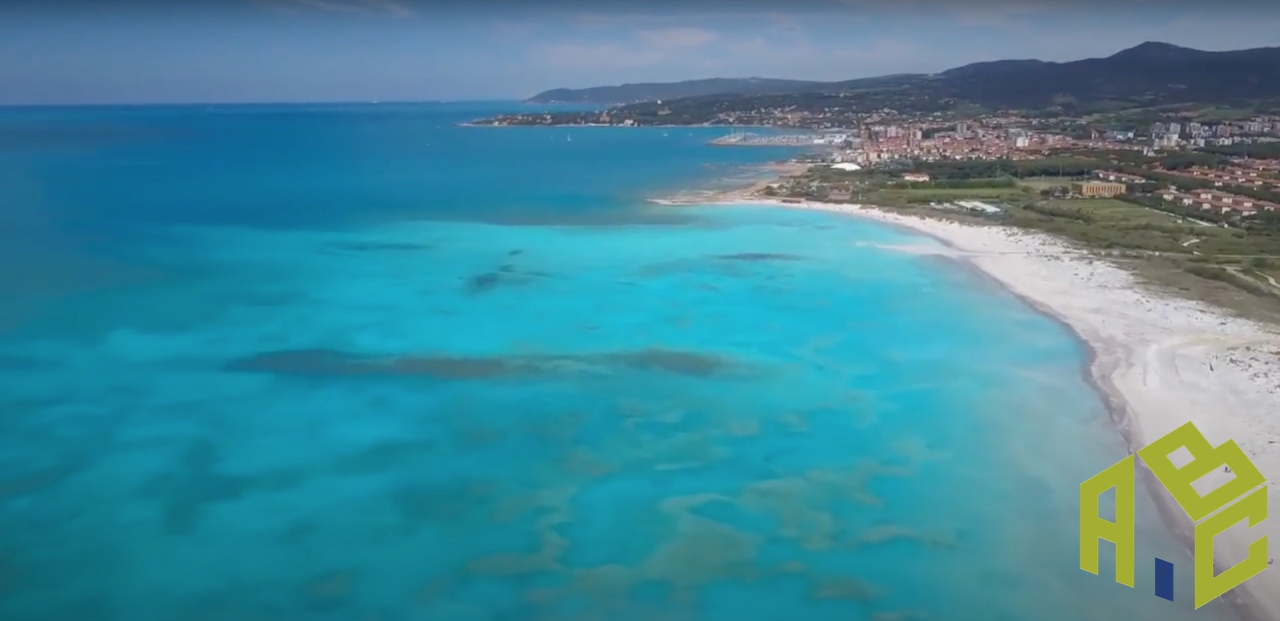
(1220, 163)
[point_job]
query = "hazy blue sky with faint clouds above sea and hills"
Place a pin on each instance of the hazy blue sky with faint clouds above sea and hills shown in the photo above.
(144, 52)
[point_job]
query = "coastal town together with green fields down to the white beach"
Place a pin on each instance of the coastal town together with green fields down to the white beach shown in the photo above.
(1195, 207)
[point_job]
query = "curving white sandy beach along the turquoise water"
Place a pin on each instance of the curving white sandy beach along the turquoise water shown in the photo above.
(1160, 360)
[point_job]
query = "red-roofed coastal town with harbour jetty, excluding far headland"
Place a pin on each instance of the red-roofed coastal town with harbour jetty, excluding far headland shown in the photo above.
(1206, 167)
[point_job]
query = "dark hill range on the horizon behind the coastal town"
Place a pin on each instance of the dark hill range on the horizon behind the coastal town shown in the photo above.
(1145, 76)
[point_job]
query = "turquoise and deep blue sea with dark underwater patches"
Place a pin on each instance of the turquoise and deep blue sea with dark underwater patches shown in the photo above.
(359, 363)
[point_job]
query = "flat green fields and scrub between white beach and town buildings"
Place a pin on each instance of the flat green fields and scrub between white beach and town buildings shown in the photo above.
(1236, 267)
